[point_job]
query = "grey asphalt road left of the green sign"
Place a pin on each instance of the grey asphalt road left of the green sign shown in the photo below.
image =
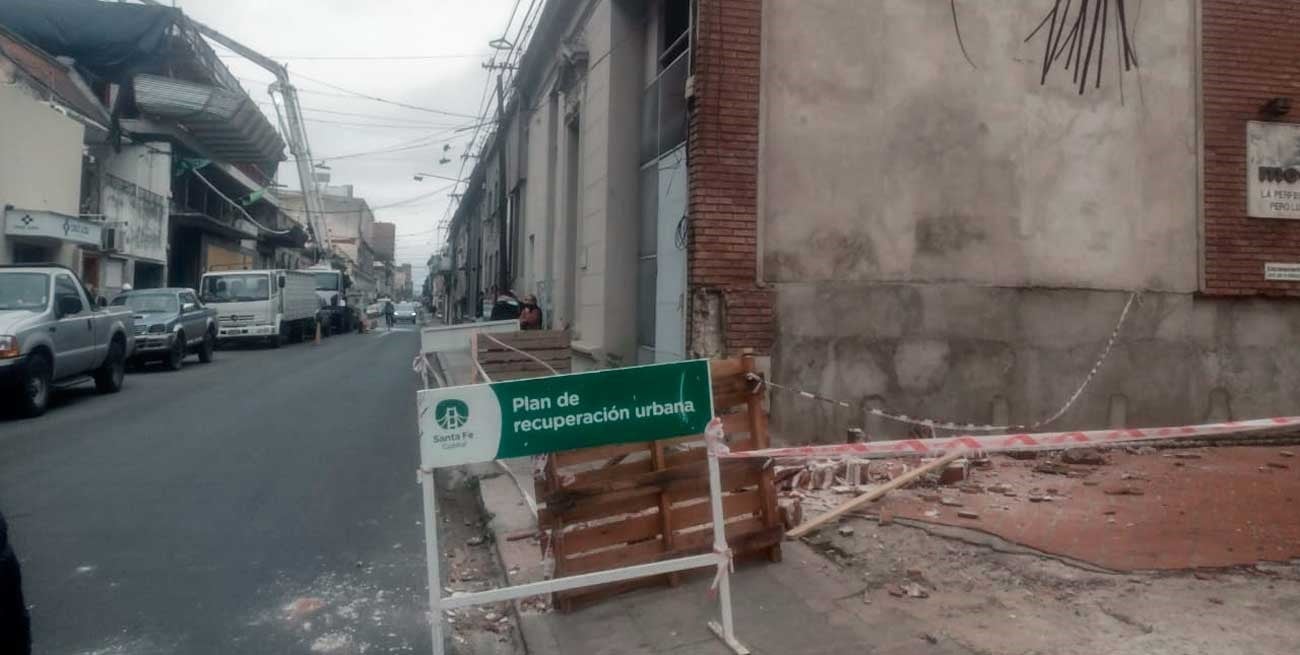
(188, 513)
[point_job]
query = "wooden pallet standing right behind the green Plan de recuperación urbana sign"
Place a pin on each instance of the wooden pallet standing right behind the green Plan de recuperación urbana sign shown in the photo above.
(618, 506)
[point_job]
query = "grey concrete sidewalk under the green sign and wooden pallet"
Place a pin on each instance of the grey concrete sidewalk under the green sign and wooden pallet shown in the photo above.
(803, 605)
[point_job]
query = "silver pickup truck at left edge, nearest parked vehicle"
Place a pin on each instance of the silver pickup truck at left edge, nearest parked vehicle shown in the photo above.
(53, 337)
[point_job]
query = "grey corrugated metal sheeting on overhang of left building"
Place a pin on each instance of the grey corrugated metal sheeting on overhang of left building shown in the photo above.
(229, 124)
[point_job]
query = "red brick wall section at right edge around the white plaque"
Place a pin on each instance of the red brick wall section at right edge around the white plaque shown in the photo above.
(1250, 53)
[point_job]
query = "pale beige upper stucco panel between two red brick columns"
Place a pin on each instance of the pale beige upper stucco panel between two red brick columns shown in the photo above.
(889, 158)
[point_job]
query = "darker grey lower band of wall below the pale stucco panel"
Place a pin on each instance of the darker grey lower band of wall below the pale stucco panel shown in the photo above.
(954, 353)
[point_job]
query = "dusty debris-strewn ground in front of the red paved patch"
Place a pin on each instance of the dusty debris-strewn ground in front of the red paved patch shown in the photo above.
(994, 602)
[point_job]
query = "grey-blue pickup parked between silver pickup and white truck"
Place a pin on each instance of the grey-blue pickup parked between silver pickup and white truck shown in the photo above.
(170, 326)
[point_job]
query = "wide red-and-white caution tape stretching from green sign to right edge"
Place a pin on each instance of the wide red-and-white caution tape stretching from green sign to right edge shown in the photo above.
(1017, 443)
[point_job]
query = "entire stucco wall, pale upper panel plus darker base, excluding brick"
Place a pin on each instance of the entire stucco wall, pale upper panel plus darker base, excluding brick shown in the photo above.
(957, 244)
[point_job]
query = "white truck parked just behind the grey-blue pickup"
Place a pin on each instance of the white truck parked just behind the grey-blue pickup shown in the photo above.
(271, 306)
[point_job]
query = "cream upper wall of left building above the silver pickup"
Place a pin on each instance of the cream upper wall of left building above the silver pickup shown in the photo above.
(41, 162)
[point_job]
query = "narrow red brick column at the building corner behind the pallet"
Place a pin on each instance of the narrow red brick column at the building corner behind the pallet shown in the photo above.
(723, 254)
